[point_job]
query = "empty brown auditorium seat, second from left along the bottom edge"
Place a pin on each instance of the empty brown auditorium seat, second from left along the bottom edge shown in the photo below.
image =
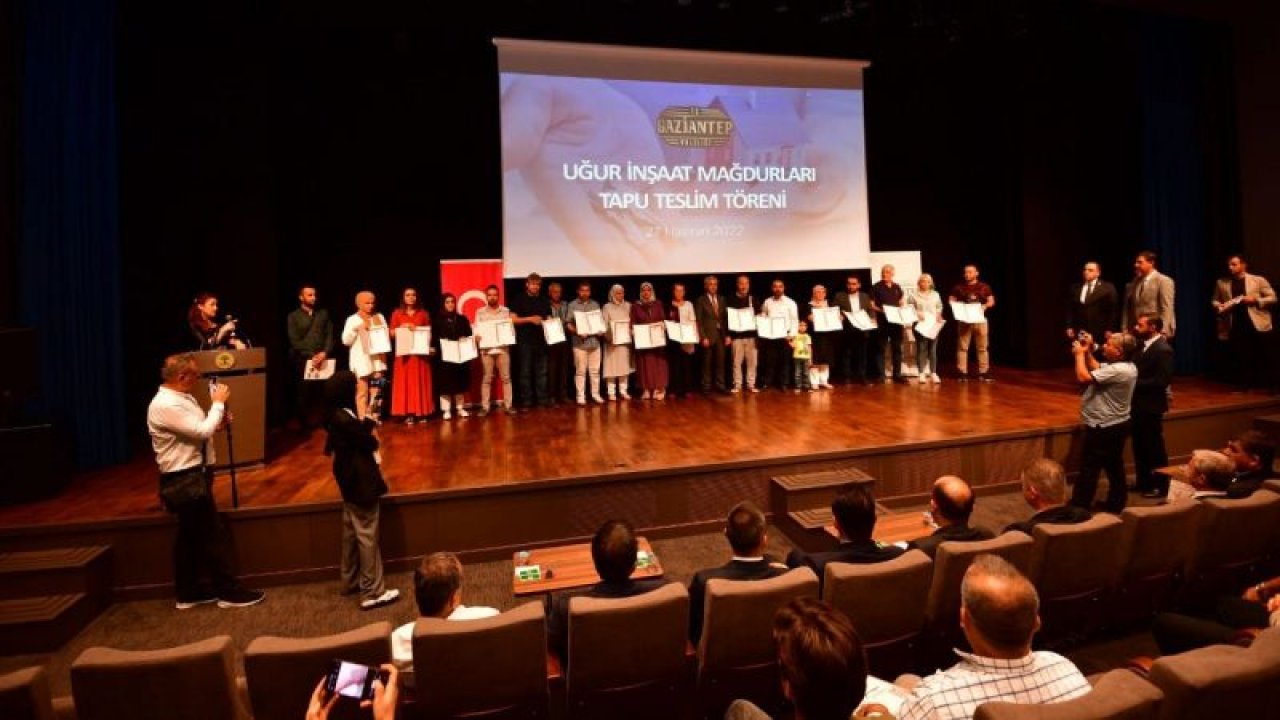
(193, 682)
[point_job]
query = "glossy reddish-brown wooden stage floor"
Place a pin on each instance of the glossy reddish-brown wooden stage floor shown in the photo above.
(568, 445)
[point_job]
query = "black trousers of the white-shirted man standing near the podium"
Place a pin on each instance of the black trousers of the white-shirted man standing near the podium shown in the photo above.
(202, 553)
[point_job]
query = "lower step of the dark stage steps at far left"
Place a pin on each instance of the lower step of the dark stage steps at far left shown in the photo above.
(44, 623)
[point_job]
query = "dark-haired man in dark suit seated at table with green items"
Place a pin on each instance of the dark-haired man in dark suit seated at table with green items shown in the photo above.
(614, 554)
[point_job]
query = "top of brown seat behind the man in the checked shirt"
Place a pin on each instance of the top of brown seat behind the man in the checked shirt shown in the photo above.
(1121, 695)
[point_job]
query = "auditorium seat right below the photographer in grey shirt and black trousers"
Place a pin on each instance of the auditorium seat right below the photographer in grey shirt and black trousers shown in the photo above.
(1155, 549)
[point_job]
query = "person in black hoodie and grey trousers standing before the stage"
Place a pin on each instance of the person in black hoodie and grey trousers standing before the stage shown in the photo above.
(354, 448)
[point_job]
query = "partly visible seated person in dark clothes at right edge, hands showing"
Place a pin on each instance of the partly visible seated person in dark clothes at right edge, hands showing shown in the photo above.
(1256, 609)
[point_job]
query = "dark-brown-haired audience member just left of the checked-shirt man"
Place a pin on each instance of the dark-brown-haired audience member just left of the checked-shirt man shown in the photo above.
(821, 662)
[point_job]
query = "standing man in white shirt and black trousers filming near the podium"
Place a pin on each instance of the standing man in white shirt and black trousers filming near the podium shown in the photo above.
(180, 436)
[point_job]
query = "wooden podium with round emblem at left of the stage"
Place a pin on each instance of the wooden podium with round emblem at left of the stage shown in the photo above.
(245, 373)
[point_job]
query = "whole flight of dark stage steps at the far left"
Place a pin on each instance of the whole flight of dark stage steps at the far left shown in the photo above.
(47, 596)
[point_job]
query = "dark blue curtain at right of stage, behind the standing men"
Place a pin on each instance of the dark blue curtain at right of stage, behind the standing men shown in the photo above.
(1190, 194)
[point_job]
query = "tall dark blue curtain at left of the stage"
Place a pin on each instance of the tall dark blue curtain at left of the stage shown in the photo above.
(70, 248)
